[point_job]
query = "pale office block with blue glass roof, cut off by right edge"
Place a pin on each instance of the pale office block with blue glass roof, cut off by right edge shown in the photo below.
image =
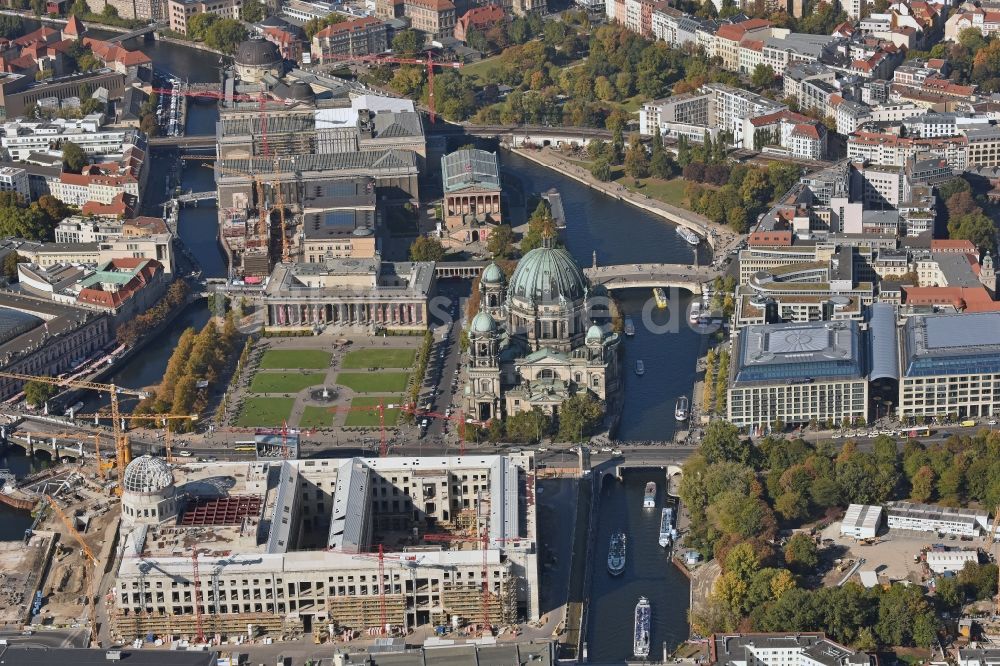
(950, 365)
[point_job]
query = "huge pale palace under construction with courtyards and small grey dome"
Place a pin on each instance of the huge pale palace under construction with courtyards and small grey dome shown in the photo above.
(358, 543)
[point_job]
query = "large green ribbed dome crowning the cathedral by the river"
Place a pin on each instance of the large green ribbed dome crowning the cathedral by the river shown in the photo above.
(547, 274)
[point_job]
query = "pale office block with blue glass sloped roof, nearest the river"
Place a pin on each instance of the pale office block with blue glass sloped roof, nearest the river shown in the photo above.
(798, 372)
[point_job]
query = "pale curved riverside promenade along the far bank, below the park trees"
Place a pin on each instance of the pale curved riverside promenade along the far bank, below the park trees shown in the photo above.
(719, 237)
